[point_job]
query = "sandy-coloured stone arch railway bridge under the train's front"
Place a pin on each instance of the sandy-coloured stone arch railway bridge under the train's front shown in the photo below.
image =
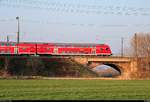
(125, 65)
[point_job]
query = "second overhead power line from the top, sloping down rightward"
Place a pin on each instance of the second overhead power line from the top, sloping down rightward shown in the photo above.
(81, 11)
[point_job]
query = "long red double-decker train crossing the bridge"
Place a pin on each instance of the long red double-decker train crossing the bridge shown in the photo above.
(27, 48)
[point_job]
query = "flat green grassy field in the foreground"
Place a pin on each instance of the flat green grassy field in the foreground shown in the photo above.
(74, 89)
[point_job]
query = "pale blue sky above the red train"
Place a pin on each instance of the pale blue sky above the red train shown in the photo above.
(75, 21)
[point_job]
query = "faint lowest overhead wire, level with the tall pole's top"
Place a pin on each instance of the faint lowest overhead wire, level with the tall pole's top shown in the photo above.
(75, 24)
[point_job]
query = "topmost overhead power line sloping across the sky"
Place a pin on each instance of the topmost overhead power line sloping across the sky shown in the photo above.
(65, 4)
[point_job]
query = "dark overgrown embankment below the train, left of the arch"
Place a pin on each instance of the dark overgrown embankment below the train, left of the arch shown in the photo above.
(48, 67)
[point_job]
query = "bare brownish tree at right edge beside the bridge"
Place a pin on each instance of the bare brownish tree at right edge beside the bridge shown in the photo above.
(140, 48)
